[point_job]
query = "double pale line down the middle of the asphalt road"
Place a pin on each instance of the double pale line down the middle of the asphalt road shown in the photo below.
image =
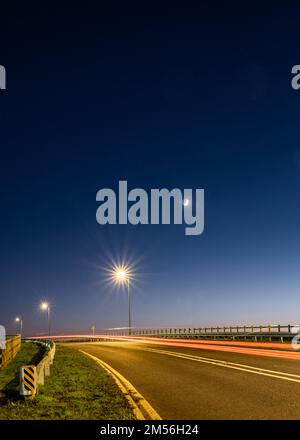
(232, 365)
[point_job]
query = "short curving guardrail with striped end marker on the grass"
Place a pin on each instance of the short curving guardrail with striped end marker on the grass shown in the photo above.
(41, 370)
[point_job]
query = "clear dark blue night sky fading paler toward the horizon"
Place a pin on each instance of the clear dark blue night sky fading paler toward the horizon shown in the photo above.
(162, 97)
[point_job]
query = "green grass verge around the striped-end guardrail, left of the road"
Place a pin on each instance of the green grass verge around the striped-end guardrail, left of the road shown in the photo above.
(77, 389)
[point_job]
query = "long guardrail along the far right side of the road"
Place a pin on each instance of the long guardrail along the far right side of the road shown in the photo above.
(281, 333)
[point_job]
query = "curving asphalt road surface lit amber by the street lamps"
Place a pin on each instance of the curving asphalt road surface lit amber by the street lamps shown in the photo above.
(203, 387)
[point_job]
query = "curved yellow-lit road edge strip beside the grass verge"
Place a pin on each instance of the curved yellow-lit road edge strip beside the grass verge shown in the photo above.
(141, 407)
